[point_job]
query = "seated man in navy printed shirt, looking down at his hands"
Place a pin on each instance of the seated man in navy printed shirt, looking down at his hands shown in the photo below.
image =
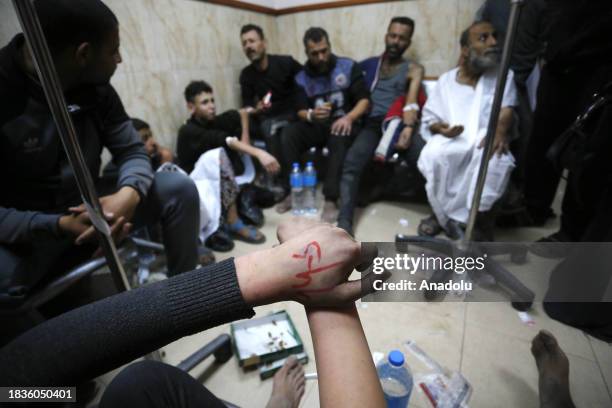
(332, 98)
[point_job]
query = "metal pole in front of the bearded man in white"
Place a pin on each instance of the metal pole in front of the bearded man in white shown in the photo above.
(494, 118)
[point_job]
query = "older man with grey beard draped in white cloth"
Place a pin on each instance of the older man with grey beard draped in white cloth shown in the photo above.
(456, 116)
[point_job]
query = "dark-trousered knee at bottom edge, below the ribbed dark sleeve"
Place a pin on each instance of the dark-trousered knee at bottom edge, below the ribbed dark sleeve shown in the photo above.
(150, 384)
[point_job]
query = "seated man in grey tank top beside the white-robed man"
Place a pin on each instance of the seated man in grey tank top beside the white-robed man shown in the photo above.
(388, 78)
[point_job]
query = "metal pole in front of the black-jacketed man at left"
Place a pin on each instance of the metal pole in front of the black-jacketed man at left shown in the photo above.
(55, 97)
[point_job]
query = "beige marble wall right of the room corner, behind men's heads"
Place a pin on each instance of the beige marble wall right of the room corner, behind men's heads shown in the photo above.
(359, 31)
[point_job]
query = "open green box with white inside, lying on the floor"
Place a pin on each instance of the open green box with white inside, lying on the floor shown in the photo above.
(265, 339)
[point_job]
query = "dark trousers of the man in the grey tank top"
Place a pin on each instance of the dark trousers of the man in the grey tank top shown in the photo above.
(359, 155)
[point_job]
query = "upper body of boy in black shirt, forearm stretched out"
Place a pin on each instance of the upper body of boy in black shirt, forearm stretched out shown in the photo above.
(205, 130)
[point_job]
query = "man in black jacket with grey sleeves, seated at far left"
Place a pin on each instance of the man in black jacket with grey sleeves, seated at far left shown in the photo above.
(40, 217)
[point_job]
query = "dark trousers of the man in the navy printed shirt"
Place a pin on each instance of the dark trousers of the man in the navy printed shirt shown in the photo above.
(298, 137)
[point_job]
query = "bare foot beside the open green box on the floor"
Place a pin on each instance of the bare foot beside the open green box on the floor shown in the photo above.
(289, 384)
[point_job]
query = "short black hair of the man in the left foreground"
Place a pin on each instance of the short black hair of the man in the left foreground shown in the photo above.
(67, 23)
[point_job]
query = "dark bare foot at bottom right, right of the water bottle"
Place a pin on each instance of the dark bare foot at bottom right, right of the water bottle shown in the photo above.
(553, 369)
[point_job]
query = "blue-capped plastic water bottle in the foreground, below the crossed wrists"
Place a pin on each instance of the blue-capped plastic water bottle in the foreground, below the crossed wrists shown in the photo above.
(396, 380)
